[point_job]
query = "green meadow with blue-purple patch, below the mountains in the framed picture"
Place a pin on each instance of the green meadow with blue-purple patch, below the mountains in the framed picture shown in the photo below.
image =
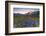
(25, 21)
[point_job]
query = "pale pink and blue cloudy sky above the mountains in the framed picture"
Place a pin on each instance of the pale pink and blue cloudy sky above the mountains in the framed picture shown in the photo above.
(24, 10)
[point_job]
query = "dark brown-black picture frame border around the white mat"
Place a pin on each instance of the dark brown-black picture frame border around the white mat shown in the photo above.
(6, 18)
